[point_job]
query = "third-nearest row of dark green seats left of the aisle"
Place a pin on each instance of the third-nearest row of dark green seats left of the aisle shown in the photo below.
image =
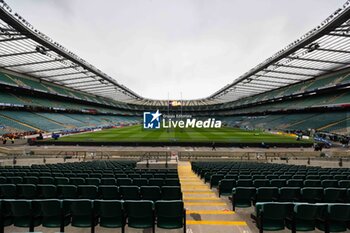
(90, 181)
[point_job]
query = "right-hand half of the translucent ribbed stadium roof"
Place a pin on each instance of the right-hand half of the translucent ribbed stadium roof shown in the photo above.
(322, 50)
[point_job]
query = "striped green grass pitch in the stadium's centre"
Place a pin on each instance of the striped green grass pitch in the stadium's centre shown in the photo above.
(222, 135)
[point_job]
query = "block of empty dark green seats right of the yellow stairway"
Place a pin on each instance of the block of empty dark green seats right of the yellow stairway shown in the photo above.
(305, 199)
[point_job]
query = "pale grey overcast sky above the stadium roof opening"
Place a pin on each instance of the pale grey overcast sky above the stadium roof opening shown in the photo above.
(156, 47)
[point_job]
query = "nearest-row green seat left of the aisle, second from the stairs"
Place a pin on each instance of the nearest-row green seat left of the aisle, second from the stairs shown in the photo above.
(140, 214)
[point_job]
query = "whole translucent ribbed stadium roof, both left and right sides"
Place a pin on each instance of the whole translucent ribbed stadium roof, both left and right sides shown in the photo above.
(26, 50)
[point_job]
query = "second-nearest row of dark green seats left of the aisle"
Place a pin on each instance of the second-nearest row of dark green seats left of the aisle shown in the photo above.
(108, 192)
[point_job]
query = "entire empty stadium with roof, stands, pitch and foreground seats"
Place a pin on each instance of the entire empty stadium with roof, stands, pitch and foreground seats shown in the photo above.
(81, 152)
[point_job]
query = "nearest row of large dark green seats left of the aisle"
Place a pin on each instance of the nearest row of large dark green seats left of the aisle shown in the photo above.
(53, 213)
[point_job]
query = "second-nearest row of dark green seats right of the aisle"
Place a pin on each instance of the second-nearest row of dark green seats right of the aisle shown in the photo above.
(246, 196)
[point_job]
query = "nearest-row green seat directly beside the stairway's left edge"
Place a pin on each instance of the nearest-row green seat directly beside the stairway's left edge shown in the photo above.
(170, 215)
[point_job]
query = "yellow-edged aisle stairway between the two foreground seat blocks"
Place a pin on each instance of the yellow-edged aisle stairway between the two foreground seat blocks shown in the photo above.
(206, 212)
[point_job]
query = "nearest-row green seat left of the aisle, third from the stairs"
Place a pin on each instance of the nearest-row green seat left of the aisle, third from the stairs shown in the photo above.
(110, 213)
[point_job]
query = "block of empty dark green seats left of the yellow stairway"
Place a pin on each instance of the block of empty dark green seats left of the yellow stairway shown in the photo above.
(39, 188)
